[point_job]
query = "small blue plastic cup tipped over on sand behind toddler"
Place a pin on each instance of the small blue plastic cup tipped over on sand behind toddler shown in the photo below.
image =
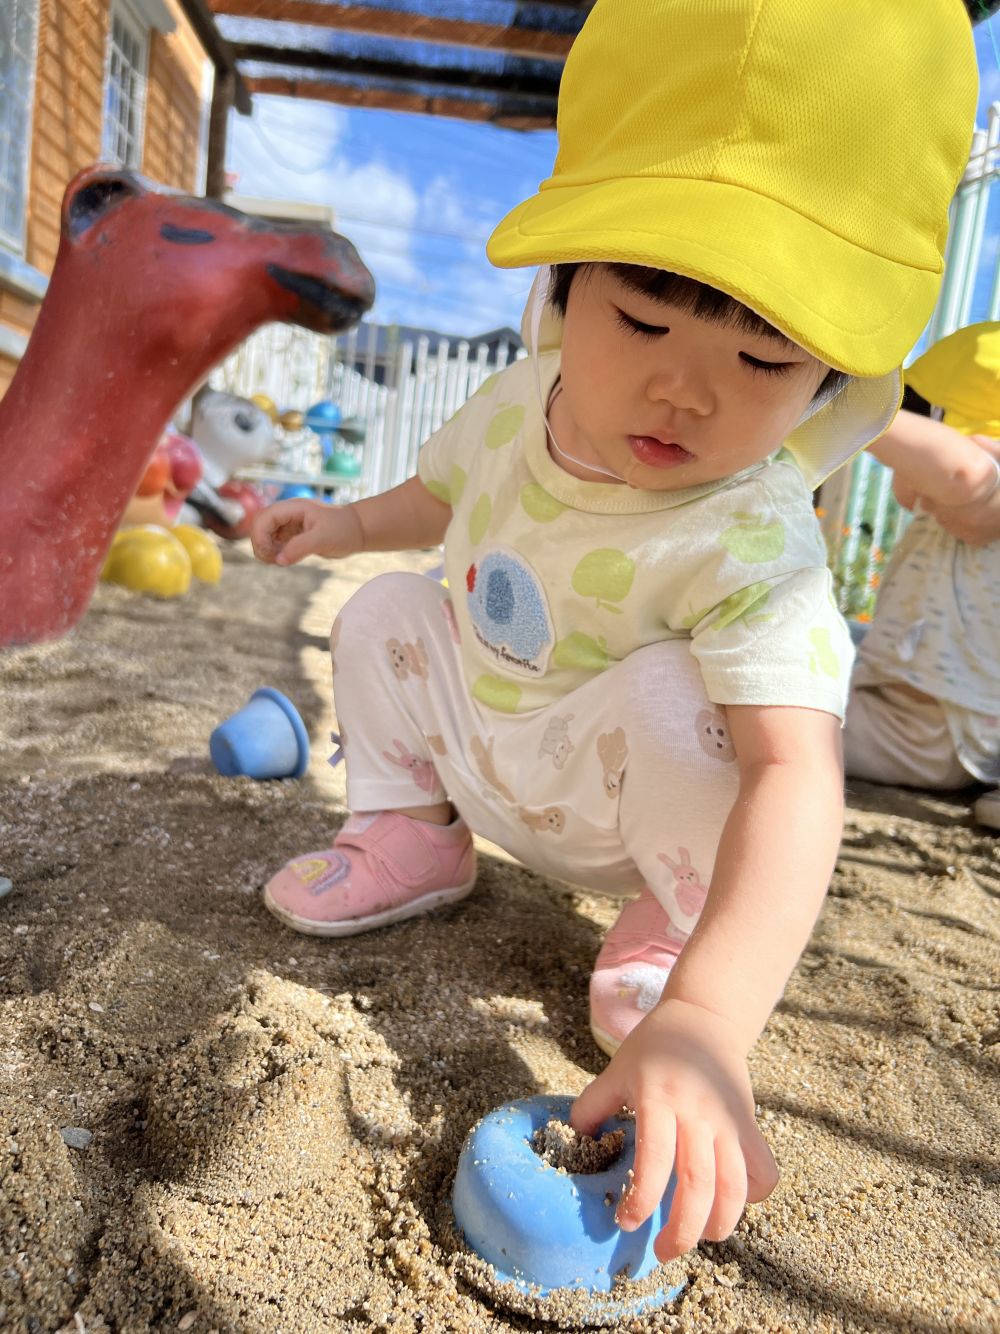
(266, 740)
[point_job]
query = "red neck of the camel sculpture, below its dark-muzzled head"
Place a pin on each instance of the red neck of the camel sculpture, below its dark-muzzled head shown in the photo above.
(78, 426)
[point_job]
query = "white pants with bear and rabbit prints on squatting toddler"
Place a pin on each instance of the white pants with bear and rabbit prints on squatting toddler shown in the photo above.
(627, 780)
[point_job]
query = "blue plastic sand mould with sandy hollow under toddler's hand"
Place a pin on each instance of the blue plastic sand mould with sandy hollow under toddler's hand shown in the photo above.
(545, 1229)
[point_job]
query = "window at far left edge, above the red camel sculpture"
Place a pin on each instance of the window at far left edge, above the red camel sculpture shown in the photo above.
(19, 25)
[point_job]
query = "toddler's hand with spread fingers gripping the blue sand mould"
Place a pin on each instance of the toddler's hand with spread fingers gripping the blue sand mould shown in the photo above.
(683, 1072)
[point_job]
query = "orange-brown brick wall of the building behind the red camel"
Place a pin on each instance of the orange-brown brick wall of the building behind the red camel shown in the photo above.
(67, 125)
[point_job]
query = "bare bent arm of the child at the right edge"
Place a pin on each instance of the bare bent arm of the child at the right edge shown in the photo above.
(937, 465)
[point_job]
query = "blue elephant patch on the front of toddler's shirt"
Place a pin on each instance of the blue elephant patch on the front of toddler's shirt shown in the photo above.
(510, 613)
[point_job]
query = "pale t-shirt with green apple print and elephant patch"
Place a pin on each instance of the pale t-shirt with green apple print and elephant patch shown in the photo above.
(555, 580)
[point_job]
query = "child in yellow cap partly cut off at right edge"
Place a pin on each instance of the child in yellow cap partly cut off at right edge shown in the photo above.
(926, 694)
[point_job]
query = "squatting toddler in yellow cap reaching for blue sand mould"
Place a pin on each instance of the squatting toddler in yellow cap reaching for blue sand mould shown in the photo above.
(637, 676)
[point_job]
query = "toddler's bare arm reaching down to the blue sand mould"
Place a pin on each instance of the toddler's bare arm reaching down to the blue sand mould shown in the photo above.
(683, 1069)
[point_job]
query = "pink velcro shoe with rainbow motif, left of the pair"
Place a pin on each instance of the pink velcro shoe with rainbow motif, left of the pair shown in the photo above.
(382, 869)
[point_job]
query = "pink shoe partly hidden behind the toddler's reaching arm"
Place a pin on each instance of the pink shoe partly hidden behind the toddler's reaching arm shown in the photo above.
(631, 969)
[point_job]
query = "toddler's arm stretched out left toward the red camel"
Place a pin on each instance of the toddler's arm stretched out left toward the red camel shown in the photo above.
(402, 520)
